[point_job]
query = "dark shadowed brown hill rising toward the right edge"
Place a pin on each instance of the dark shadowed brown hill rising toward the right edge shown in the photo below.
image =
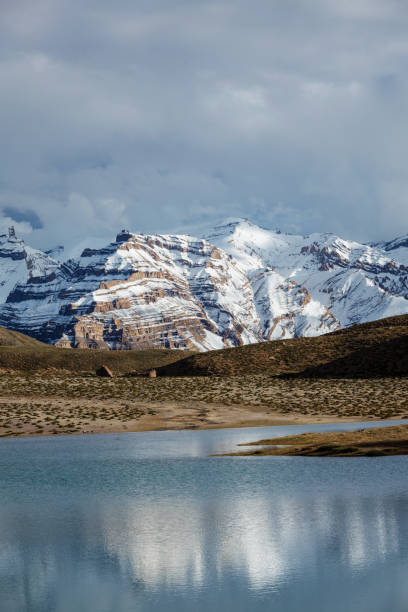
(301, 355)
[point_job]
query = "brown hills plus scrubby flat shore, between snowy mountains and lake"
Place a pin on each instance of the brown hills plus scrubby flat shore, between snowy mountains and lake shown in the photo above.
(47, 390)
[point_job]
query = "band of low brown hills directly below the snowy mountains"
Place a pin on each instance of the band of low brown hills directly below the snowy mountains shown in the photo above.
(378, 348)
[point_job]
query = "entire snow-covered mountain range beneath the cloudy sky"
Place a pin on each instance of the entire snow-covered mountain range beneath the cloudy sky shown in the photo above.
(235, 284)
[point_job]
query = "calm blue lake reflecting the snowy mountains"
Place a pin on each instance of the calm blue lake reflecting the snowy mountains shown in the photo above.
(149, 522)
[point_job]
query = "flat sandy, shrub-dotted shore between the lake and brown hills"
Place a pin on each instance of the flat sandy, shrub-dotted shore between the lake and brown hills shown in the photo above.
(44, 404)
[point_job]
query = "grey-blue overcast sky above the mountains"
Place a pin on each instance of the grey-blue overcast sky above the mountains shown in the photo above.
(153, 115)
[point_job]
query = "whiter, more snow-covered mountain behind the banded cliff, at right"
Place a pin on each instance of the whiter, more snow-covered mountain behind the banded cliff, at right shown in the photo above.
(308, 285)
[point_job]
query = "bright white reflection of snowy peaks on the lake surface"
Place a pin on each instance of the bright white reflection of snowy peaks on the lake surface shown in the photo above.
(265, 542)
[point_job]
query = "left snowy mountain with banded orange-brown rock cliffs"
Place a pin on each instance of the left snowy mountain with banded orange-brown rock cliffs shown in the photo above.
(139, 292)
